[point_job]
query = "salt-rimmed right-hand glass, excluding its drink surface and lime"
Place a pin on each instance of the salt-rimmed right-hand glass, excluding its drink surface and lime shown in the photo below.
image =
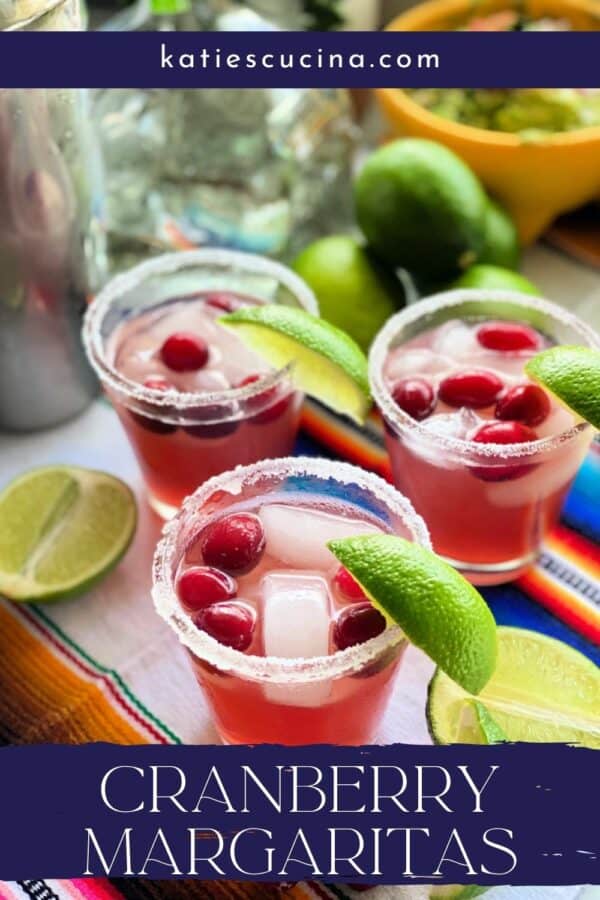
(490, 529)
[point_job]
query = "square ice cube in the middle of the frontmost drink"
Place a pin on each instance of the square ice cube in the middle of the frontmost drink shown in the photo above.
(296, 621)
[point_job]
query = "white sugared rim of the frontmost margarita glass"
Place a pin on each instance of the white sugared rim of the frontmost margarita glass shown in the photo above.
(272, 668)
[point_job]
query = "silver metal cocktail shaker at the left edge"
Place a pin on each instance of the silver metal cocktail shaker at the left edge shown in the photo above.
(51, 254)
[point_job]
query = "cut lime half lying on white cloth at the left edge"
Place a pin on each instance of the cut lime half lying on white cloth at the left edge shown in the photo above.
(61, 529)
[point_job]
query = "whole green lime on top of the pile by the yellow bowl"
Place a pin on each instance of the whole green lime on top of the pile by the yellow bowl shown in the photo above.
(421, 208)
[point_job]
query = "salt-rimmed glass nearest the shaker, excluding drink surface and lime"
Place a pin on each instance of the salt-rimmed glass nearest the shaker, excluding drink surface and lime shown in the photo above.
(181, 439)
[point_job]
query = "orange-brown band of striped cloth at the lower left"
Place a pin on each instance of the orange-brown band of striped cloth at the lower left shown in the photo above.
(42, 699)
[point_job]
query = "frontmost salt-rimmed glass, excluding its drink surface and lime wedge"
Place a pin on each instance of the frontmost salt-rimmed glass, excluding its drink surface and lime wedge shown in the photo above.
(239, 687)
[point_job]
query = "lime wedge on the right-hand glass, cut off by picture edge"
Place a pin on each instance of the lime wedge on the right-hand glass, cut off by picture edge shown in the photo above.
(572, 374)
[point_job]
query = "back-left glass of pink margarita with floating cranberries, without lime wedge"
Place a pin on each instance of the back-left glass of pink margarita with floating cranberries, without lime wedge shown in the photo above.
(192, 398)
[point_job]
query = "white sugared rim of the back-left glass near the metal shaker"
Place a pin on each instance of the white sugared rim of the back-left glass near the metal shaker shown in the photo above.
(170, 262)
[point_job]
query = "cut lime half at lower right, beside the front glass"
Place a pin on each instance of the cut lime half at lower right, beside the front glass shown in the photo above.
(542, 691)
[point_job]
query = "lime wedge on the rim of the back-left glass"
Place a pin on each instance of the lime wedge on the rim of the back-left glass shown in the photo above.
(328, 364)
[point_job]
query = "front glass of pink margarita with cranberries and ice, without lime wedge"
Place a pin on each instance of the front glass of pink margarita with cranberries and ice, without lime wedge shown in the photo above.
(284, 644)
